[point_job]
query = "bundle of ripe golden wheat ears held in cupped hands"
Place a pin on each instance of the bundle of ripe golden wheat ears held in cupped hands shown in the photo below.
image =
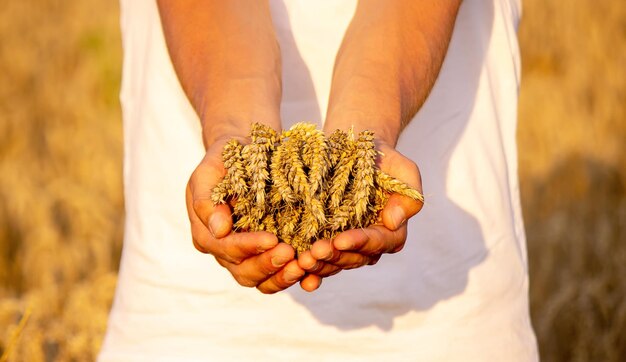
(302, 185)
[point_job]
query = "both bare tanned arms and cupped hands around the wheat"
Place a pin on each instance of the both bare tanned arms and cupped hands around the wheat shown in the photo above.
(228, 61)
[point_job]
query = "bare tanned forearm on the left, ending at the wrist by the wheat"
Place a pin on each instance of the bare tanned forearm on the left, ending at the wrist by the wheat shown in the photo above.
(227, 59)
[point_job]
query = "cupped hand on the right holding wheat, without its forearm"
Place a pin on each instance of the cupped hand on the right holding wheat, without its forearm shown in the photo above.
(359, 247)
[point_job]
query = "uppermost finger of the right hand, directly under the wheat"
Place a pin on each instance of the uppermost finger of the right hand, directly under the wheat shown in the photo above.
(372, 241)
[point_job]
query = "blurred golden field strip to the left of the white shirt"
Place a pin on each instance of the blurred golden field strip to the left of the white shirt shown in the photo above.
(61, 207)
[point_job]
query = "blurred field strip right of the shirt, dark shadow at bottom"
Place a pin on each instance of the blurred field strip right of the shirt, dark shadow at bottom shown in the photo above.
(573, 170)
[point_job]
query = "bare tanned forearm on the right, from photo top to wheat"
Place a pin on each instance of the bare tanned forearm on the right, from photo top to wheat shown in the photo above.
(387, 64)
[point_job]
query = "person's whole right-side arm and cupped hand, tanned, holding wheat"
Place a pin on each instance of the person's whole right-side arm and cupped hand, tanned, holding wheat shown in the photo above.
(387, 64)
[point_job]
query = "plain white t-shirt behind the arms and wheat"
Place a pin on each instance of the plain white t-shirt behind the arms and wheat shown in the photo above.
(458, 290)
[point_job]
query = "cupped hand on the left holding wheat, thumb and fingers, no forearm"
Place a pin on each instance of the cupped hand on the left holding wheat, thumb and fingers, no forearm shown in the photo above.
(255, 259)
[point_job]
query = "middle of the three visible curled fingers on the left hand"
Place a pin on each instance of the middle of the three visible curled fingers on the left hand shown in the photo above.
(254, 270)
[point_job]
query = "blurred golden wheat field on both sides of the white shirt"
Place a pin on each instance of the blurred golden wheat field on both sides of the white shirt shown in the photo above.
(61, 206)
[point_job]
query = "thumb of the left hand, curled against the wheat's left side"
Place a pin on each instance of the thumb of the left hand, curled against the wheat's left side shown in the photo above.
(210, 171)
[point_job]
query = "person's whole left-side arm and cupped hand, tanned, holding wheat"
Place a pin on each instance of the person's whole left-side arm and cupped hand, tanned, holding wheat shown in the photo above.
(227, 59)
